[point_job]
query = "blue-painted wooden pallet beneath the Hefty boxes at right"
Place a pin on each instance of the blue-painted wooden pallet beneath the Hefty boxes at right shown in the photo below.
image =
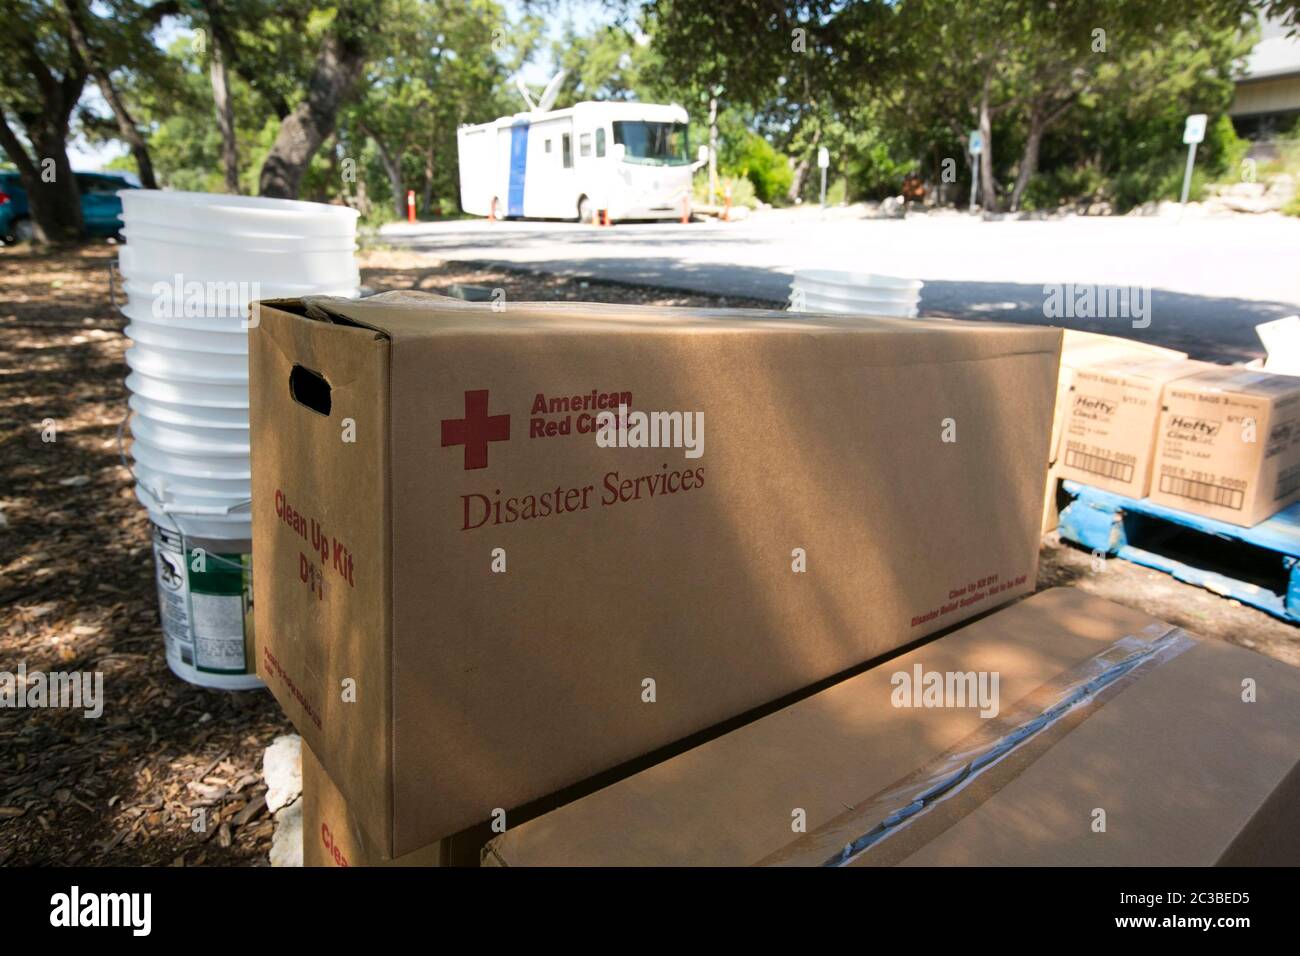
(1256, 566)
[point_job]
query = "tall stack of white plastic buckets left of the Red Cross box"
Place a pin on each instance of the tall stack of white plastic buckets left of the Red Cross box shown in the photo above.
(192, 265)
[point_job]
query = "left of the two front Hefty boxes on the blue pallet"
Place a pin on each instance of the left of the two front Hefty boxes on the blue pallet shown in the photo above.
(1111, 422)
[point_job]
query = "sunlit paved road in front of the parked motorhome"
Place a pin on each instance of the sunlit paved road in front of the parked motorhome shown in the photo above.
(1212, 280)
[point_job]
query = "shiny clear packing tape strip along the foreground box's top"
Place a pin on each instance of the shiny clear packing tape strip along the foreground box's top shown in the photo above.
(900, 820)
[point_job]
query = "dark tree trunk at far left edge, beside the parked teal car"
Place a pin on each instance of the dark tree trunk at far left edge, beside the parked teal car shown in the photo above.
(42, 77)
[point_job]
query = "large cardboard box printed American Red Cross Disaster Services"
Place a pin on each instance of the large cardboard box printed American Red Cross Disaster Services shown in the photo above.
(501, 552)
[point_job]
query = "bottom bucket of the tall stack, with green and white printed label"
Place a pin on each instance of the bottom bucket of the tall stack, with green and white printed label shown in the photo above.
(205, 587)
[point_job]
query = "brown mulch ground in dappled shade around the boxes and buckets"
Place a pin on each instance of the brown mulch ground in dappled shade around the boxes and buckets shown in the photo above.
(77, 589)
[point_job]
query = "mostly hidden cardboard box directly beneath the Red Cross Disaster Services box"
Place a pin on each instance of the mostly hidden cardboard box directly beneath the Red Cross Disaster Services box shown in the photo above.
(333, 837)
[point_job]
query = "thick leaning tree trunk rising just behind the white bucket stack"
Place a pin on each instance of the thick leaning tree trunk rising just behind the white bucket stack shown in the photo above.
(302, 132)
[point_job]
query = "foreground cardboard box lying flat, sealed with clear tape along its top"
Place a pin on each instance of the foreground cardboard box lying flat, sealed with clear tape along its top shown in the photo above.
(1158, 762)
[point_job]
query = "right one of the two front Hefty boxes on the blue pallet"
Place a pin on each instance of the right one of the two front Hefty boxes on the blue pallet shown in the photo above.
(1229, 445)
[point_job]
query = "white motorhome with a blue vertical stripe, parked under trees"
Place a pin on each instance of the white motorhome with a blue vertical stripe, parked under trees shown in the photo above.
(631, 159)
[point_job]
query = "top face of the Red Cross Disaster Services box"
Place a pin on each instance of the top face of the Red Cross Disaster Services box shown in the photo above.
(418, 315)
